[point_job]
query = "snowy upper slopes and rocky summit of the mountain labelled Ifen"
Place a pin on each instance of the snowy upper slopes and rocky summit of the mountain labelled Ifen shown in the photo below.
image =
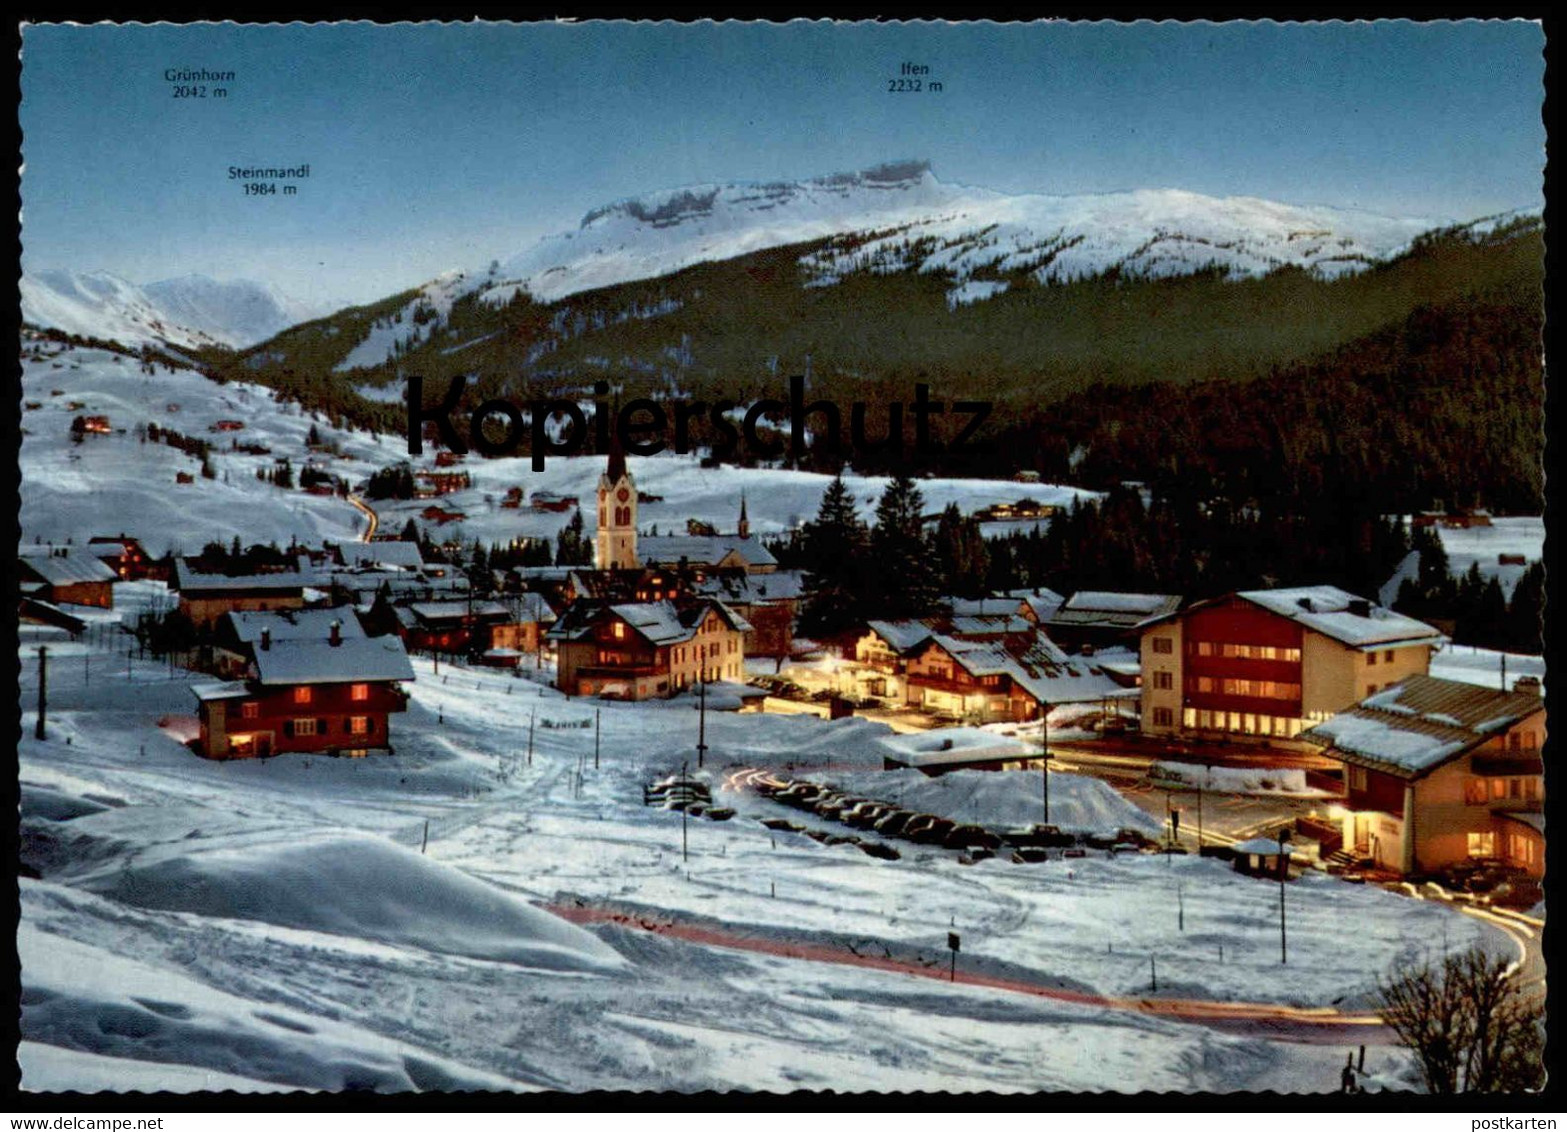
(899, 217)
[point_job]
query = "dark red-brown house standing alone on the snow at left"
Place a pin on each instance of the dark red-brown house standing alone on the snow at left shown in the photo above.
(333, 697)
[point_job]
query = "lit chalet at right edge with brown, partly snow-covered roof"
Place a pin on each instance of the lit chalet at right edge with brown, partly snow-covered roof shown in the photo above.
(1438, 774)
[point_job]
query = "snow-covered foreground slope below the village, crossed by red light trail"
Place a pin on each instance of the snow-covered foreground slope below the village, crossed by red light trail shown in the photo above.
(286, 923)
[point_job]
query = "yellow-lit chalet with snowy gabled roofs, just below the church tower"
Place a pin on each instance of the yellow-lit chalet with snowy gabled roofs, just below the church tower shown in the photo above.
(648, 650)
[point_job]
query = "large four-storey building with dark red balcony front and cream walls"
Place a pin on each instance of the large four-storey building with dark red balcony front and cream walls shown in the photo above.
(1265, 666)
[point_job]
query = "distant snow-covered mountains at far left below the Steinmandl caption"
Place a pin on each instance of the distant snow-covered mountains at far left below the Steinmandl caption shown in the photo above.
(190, 311)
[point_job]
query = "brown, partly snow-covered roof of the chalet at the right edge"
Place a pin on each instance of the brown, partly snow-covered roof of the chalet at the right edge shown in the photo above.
(1420, 724)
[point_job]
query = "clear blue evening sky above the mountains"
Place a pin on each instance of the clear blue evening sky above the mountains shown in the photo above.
(436, 147)
